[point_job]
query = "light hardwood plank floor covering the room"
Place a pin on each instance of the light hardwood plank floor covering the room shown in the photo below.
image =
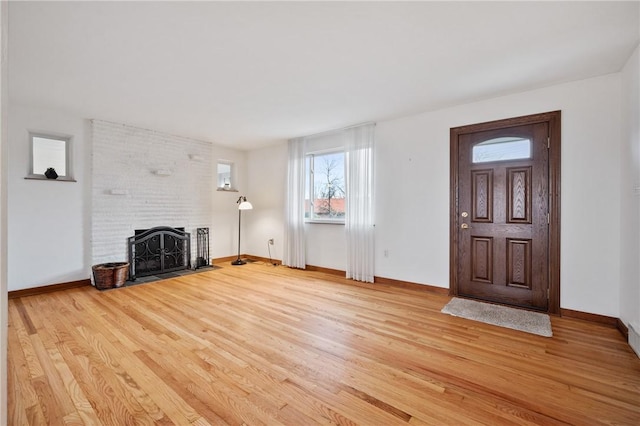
(264, 345)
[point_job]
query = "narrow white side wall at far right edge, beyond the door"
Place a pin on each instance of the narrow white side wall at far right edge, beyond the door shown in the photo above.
(630, 187)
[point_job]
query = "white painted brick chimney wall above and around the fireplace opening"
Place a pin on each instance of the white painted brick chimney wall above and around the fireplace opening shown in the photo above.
(142, 179)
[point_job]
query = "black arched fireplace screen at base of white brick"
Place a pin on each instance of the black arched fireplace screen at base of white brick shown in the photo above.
(158, 250)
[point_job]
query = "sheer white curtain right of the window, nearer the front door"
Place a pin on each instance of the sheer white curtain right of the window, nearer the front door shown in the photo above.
(359, 224)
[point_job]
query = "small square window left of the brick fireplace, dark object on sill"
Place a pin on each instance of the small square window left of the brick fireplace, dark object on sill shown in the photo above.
(50, 152)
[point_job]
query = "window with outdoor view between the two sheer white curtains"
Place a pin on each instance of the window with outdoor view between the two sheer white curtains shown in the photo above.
(325, 187)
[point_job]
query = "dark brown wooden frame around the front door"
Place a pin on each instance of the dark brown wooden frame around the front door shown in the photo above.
(553, 119)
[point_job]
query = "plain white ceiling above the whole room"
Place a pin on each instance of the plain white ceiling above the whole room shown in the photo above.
(247, 74)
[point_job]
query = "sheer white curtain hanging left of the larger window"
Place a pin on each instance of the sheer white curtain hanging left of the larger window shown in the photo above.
(294, 241)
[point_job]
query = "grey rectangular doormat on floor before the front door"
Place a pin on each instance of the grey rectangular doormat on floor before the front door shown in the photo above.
(503, 316)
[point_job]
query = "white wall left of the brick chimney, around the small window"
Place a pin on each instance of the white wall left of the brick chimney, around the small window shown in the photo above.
(48, 221)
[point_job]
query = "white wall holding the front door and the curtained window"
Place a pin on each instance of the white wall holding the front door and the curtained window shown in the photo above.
(412, 191)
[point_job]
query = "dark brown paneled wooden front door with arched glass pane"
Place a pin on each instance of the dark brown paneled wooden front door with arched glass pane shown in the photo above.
(501, 214)
